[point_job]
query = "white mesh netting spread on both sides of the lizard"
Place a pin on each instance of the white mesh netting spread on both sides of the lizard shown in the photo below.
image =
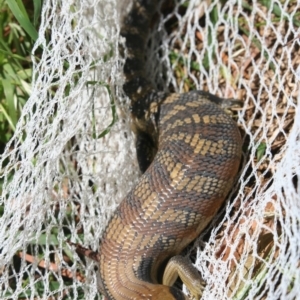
(72, 158)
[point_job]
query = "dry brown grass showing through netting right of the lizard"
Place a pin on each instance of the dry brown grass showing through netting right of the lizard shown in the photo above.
(267, 115)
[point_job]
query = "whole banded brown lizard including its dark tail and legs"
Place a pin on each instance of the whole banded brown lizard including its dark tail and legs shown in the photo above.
(193, 152)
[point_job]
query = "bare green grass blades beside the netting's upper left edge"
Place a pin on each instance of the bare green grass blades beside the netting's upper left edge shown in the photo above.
(18, 32)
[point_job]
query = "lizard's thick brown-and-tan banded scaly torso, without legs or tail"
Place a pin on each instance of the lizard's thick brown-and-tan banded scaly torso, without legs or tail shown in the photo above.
(199, 151)
